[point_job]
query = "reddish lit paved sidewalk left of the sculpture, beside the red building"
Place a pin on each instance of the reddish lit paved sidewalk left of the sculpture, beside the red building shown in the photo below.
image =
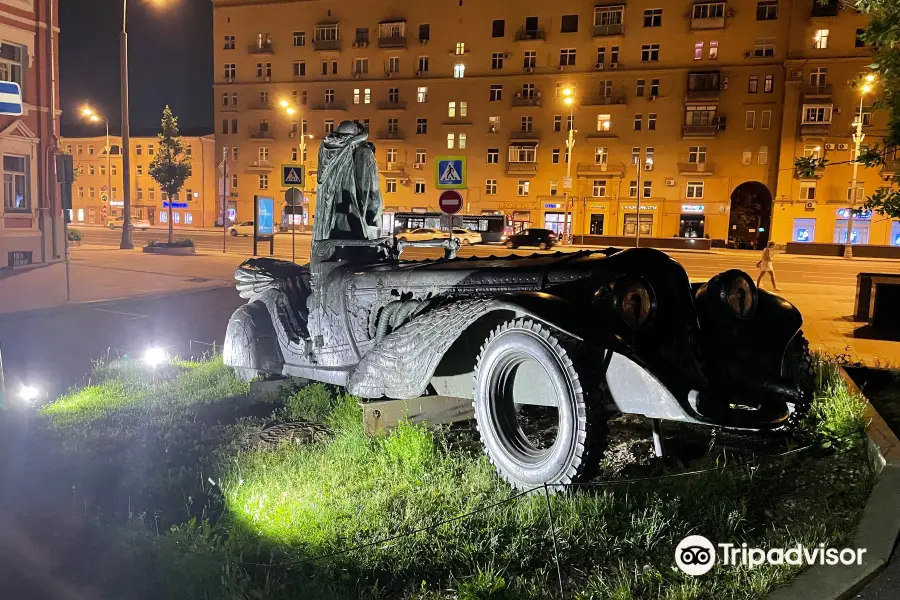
(100, 273)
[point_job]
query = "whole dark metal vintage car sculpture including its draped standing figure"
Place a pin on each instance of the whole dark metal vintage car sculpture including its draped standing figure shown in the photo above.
(587, 333)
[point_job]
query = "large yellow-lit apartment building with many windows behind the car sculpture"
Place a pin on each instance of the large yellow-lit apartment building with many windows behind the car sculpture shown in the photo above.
(687, 117)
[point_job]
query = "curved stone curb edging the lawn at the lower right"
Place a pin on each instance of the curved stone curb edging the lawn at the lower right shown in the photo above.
(878, 528)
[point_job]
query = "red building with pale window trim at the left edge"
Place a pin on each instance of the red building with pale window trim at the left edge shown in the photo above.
(31, 226)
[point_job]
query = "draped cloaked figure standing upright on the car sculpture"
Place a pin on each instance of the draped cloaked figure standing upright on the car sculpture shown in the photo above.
(348, 199)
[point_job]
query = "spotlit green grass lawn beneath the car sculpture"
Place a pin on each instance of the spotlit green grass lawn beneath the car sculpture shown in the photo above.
(212, 513)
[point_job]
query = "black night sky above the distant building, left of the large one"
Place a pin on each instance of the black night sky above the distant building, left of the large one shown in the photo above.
(169, 59)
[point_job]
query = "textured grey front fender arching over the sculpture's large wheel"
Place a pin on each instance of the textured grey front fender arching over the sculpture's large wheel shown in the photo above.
(403, 363)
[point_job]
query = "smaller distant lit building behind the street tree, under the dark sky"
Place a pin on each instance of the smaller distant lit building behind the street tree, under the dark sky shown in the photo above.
(97, 195)
